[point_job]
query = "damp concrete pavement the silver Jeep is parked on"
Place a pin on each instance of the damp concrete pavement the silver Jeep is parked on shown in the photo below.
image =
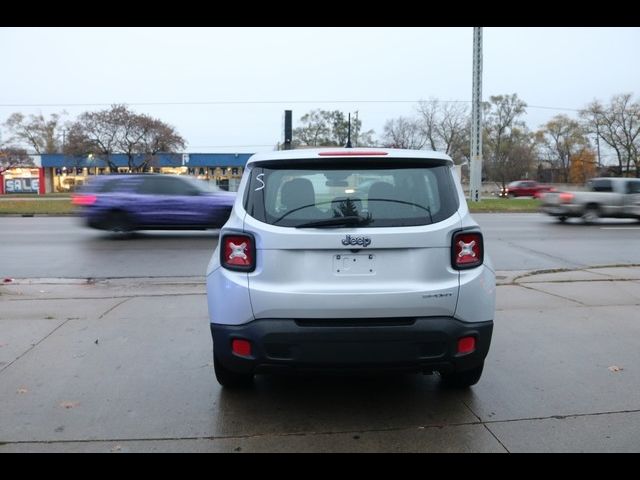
(125, 365)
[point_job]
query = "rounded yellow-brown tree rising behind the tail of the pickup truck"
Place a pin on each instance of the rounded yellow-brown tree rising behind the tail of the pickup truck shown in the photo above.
(563, 139)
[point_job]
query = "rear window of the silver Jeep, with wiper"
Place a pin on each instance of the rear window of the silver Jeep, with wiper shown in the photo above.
(351, 193)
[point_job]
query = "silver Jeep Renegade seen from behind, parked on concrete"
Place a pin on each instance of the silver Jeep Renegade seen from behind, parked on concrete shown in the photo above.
(347, 260)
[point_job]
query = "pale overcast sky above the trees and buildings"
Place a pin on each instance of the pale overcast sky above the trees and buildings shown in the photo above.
(380, 72)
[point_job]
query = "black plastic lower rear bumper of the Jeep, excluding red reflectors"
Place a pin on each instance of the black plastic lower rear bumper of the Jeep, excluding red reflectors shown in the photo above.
(404, 344)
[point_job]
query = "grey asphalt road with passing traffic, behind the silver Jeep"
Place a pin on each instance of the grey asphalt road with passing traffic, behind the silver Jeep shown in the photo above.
(61, 247)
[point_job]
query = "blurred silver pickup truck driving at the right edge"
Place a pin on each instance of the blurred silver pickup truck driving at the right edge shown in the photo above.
(603, 197)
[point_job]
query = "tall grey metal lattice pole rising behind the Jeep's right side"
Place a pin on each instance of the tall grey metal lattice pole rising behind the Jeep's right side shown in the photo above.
(475, 166)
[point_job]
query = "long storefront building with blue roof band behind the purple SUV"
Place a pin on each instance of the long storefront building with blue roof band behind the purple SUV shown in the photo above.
(58, 173)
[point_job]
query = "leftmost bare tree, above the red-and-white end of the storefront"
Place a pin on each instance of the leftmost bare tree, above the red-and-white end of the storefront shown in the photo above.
(39, 133)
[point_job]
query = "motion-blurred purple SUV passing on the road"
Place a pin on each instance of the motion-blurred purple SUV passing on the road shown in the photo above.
(124, 203)
